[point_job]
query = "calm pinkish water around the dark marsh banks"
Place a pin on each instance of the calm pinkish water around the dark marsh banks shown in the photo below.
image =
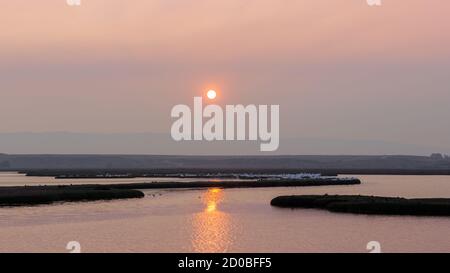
(231, 220)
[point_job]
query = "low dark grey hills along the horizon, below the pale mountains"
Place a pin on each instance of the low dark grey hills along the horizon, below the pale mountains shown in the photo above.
(303, 162)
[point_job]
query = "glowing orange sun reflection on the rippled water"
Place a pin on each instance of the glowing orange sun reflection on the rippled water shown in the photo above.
(211, 227)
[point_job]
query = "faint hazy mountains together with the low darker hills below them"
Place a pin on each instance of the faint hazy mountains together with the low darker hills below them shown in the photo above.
(65, 150)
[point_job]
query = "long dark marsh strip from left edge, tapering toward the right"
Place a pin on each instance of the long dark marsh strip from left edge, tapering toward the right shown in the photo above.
(33, 195)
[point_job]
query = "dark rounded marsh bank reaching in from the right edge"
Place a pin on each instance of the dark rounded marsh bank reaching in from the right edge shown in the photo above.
(367, 204)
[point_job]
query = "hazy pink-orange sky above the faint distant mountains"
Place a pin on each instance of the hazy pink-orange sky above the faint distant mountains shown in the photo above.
(338, 69)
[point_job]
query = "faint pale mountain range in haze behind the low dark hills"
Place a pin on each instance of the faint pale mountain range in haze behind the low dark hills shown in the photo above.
(148, 143)
